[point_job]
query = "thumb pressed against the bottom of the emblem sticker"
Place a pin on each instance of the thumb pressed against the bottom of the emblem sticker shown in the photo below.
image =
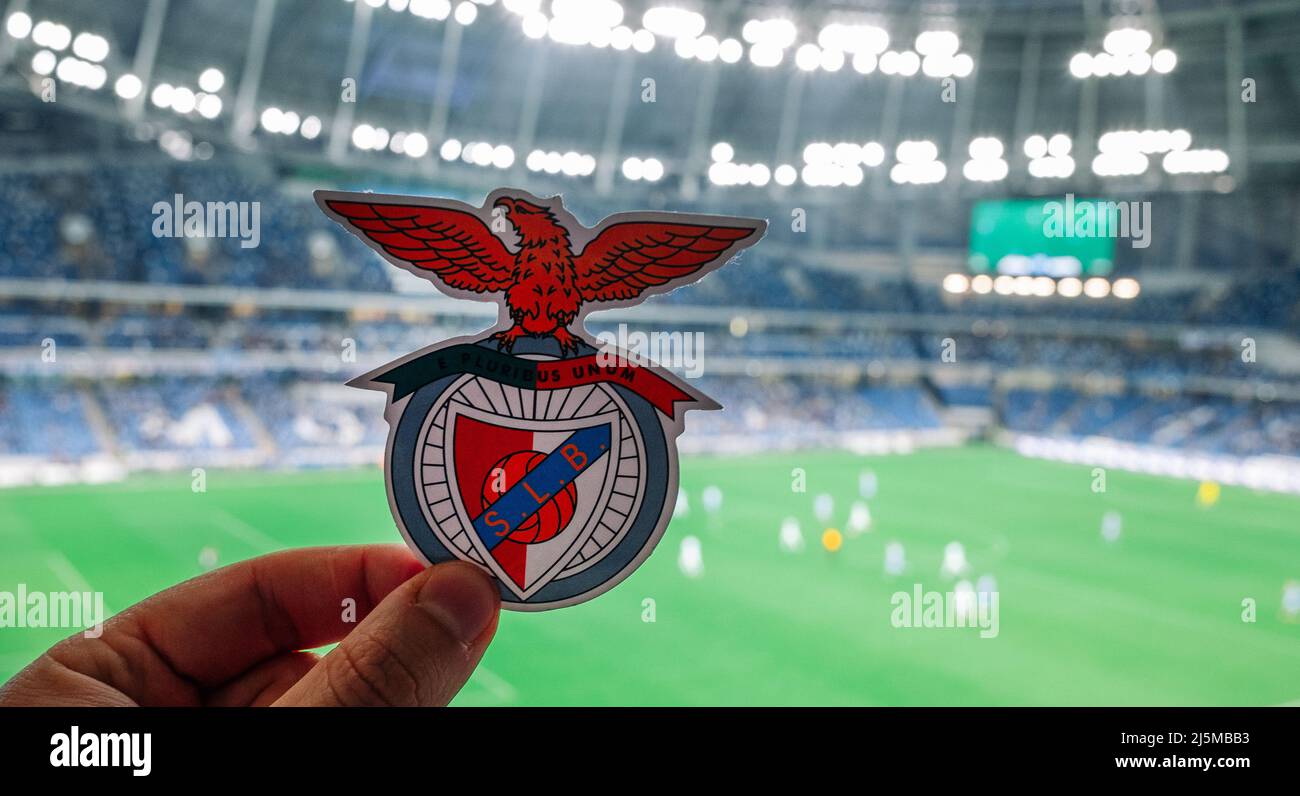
(417, 648)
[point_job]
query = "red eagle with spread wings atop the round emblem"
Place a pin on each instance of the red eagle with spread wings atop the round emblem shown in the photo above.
(545, 282)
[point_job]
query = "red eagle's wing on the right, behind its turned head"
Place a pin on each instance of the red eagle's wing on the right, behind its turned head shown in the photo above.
(631, 257)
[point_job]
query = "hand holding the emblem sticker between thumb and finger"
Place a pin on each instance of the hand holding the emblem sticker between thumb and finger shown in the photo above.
(236, 637)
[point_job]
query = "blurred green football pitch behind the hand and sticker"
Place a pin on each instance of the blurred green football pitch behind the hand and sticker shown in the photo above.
(1155, 617)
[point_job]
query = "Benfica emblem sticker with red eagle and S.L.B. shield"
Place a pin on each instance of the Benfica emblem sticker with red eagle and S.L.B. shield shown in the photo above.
(534, 451)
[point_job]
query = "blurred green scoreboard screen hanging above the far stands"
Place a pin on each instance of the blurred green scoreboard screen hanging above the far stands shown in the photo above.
(1025, 237)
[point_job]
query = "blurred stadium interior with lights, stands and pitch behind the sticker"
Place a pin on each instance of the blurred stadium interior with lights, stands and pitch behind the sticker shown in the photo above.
(1024, 331)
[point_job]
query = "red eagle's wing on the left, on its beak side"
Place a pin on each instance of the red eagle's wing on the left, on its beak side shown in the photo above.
(457, 246)
